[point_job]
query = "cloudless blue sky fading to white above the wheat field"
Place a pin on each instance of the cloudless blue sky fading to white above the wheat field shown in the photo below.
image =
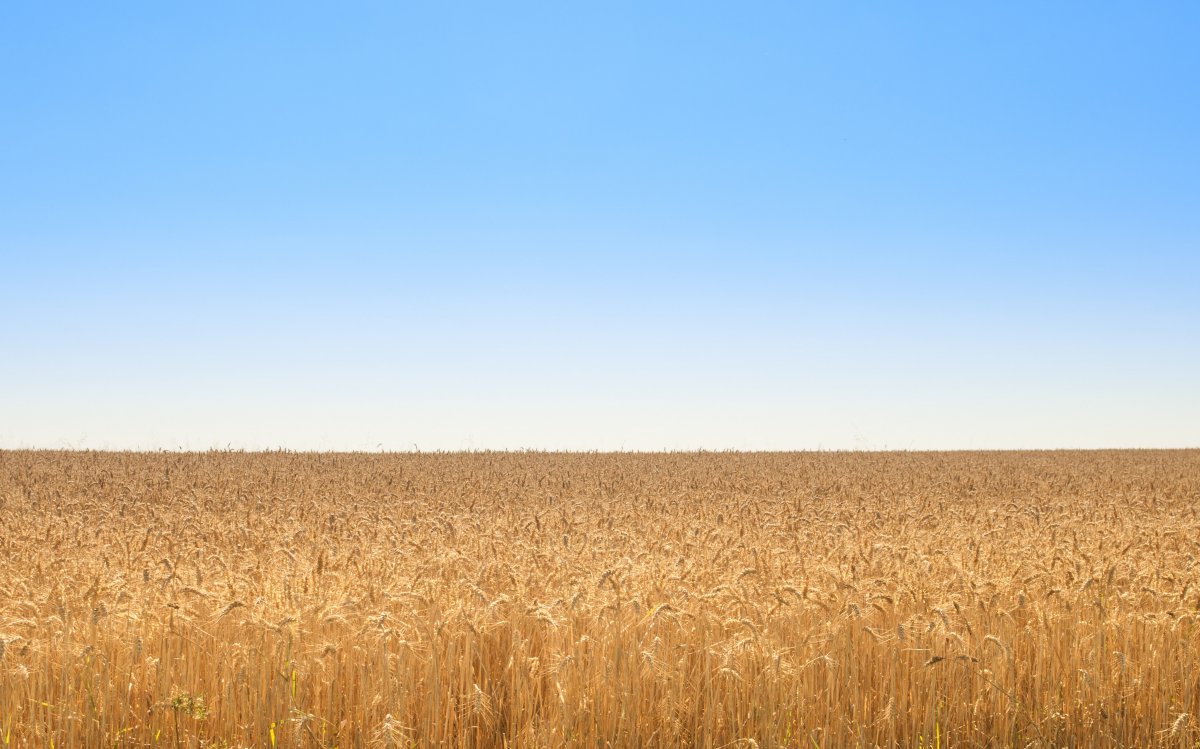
(599, 226)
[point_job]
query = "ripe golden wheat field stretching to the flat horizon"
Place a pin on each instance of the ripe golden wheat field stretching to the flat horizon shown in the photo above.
(533, 600)
